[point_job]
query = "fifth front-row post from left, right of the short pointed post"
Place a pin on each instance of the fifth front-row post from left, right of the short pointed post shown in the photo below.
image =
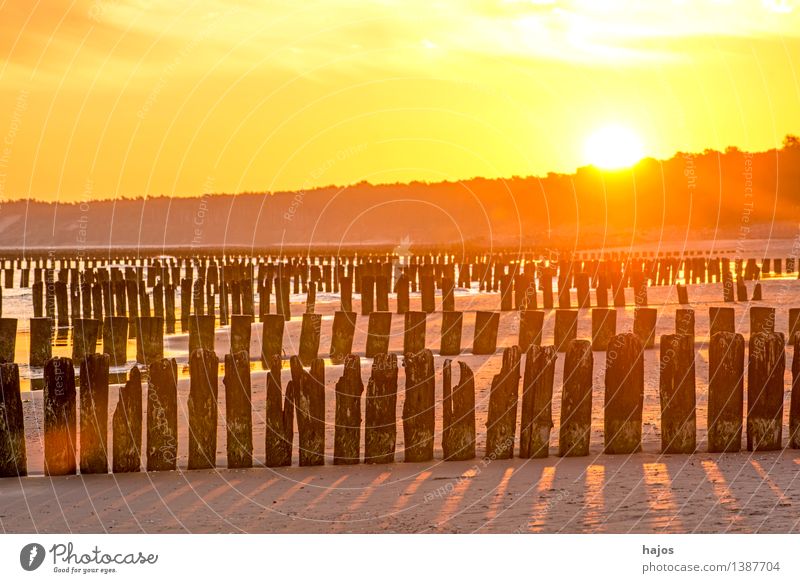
(162, 415)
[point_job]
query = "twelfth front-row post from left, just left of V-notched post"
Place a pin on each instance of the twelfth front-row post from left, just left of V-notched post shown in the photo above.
(419, 416)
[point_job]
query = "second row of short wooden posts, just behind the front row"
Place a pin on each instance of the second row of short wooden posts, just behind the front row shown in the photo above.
(149, 333)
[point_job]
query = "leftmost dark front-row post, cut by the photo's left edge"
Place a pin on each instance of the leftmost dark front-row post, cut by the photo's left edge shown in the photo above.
(13, 457)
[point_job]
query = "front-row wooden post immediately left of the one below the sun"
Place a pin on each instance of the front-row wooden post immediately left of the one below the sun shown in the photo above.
(576, 401)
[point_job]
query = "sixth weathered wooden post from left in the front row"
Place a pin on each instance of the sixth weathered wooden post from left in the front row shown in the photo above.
(202, 409)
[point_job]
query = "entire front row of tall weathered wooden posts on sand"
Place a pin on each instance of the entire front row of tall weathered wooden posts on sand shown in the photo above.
(67, 446)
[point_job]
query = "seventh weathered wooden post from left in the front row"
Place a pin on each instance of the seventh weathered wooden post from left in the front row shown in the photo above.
(238, 410)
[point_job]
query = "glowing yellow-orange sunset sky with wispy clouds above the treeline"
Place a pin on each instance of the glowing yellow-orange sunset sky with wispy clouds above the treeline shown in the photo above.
(123, 98)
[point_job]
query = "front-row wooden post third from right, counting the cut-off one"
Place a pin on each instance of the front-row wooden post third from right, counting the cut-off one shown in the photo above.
(725, 392)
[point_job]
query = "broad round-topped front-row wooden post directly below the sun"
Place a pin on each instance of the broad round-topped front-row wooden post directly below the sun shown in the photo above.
(624, 397)
